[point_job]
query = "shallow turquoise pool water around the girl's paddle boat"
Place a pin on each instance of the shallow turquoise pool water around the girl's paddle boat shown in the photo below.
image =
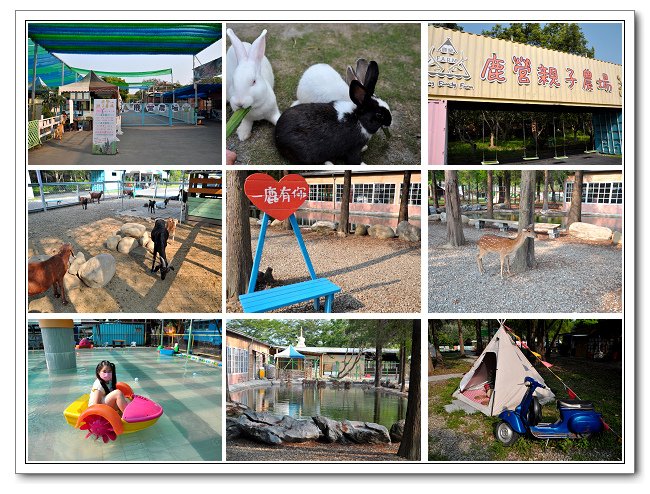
(189, 392)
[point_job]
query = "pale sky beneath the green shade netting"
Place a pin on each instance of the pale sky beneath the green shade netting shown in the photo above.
(181, 65)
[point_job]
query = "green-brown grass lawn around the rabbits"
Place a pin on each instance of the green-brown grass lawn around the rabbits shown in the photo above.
(292, 48)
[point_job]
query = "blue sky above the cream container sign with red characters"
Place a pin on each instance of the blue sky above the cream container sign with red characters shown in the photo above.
(606, 38)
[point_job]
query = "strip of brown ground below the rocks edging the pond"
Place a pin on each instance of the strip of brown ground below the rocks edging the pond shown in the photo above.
(245, 450)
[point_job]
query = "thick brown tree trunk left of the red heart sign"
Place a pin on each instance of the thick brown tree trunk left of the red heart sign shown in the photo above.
(239, 256)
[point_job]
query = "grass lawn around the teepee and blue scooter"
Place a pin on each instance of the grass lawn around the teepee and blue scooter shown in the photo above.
(460, 437)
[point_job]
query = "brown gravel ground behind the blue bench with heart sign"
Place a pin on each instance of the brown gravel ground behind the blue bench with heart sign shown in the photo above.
(375, 275)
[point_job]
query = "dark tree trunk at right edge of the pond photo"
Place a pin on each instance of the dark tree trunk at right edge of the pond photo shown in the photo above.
(409, 448)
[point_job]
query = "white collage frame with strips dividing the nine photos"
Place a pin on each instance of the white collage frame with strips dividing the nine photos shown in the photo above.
(630, 403)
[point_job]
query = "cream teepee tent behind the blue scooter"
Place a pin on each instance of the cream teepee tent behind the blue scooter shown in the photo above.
(502, 369)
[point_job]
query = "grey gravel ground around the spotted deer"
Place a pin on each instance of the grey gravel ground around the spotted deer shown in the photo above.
(571, 276)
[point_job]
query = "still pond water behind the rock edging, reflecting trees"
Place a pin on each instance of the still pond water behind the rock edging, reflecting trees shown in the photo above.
(355, 403)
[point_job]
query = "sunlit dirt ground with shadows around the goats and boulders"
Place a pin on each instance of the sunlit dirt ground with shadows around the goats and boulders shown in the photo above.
(194, 285)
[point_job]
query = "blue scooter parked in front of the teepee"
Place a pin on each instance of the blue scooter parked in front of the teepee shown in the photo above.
(577, 419)
